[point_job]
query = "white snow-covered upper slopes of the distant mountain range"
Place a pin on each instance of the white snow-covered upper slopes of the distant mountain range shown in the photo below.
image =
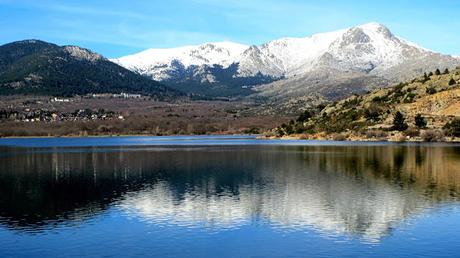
(277, 58)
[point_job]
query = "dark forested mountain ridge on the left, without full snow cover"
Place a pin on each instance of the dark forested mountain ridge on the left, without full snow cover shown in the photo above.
(39, 67)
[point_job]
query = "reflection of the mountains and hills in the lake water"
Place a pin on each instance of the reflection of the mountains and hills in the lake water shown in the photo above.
(356, 191)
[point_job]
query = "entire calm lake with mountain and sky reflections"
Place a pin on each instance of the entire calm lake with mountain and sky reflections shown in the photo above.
(227, 196)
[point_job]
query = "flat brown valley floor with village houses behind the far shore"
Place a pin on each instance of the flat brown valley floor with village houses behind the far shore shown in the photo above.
(81, 116)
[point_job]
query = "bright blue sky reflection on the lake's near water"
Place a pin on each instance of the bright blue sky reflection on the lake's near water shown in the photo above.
(113, 234)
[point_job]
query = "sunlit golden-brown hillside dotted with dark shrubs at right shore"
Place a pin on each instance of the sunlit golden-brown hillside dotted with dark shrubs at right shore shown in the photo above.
(424, 108)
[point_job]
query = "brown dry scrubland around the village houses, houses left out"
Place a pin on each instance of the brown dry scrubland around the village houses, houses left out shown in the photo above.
(142, 117)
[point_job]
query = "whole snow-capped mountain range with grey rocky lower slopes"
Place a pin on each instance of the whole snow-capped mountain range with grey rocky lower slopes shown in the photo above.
(368, 50)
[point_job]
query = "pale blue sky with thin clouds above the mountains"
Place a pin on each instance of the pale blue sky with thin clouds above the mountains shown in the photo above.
(115, 28)
